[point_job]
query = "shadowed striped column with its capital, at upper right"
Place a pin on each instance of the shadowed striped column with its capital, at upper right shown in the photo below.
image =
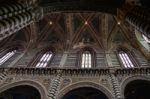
(137, 16)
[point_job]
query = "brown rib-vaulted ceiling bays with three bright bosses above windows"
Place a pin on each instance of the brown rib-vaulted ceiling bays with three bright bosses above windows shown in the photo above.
(78, 30)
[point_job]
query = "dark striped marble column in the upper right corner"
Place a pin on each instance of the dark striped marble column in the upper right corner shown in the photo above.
(140, 18)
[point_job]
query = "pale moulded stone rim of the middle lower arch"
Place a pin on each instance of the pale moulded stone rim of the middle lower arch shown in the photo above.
(85, 84)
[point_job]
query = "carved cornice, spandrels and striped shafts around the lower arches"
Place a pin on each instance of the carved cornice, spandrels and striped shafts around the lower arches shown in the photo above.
(56, 79)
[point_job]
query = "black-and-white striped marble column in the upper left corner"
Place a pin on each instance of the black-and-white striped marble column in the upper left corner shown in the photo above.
(14, 17)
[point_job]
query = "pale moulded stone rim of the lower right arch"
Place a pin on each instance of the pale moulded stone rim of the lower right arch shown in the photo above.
(130, 79)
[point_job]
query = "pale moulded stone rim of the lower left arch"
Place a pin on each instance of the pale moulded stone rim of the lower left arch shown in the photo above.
(34, 84)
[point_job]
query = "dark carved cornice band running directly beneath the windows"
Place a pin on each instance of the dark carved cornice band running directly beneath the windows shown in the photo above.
(76, 72)
